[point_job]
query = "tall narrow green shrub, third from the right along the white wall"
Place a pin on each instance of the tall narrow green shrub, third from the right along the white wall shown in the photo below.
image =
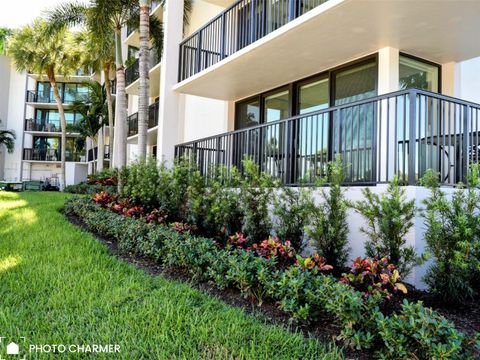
(328, 226)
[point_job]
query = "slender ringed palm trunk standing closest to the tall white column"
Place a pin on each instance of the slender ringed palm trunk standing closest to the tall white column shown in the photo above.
(144, 85)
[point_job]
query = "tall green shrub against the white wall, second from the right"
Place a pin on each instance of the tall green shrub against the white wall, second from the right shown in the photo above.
(389, 218)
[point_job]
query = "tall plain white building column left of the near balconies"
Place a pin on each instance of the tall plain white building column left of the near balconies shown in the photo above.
(169, 127)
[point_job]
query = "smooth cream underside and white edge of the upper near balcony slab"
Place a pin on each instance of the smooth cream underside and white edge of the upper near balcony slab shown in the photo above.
(337, 32)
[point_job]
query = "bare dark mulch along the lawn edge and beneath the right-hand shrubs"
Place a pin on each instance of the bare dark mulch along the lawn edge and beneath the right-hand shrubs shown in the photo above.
(465, 318)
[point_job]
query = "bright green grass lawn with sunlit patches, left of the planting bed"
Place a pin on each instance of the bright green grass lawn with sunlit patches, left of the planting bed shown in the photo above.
(59, 285)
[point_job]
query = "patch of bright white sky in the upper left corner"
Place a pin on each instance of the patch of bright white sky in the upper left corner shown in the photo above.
(15, 13)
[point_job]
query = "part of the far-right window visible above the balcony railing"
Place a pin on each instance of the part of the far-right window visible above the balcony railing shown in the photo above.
(415, 73)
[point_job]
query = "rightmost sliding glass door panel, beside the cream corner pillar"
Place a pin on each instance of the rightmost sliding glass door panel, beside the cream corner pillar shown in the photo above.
(353, 126)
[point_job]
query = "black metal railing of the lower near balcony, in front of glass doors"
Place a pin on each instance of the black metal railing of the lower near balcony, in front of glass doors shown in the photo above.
(398, 134)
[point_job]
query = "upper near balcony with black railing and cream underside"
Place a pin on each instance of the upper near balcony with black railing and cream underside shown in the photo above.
(322, 38)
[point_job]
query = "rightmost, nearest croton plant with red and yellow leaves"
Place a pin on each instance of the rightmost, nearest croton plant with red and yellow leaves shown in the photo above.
(374, 275)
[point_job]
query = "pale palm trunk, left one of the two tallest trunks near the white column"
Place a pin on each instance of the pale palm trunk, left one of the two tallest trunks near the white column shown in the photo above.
(120, 135)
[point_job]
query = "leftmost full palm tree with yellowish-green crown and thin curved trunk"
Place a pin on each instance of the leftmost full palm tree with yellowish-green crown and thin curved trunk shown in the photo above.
(33, 49)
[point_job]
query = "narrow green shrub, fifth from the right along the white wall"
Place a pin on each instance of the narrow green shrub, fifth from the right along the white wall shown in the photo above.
(255, 195)
